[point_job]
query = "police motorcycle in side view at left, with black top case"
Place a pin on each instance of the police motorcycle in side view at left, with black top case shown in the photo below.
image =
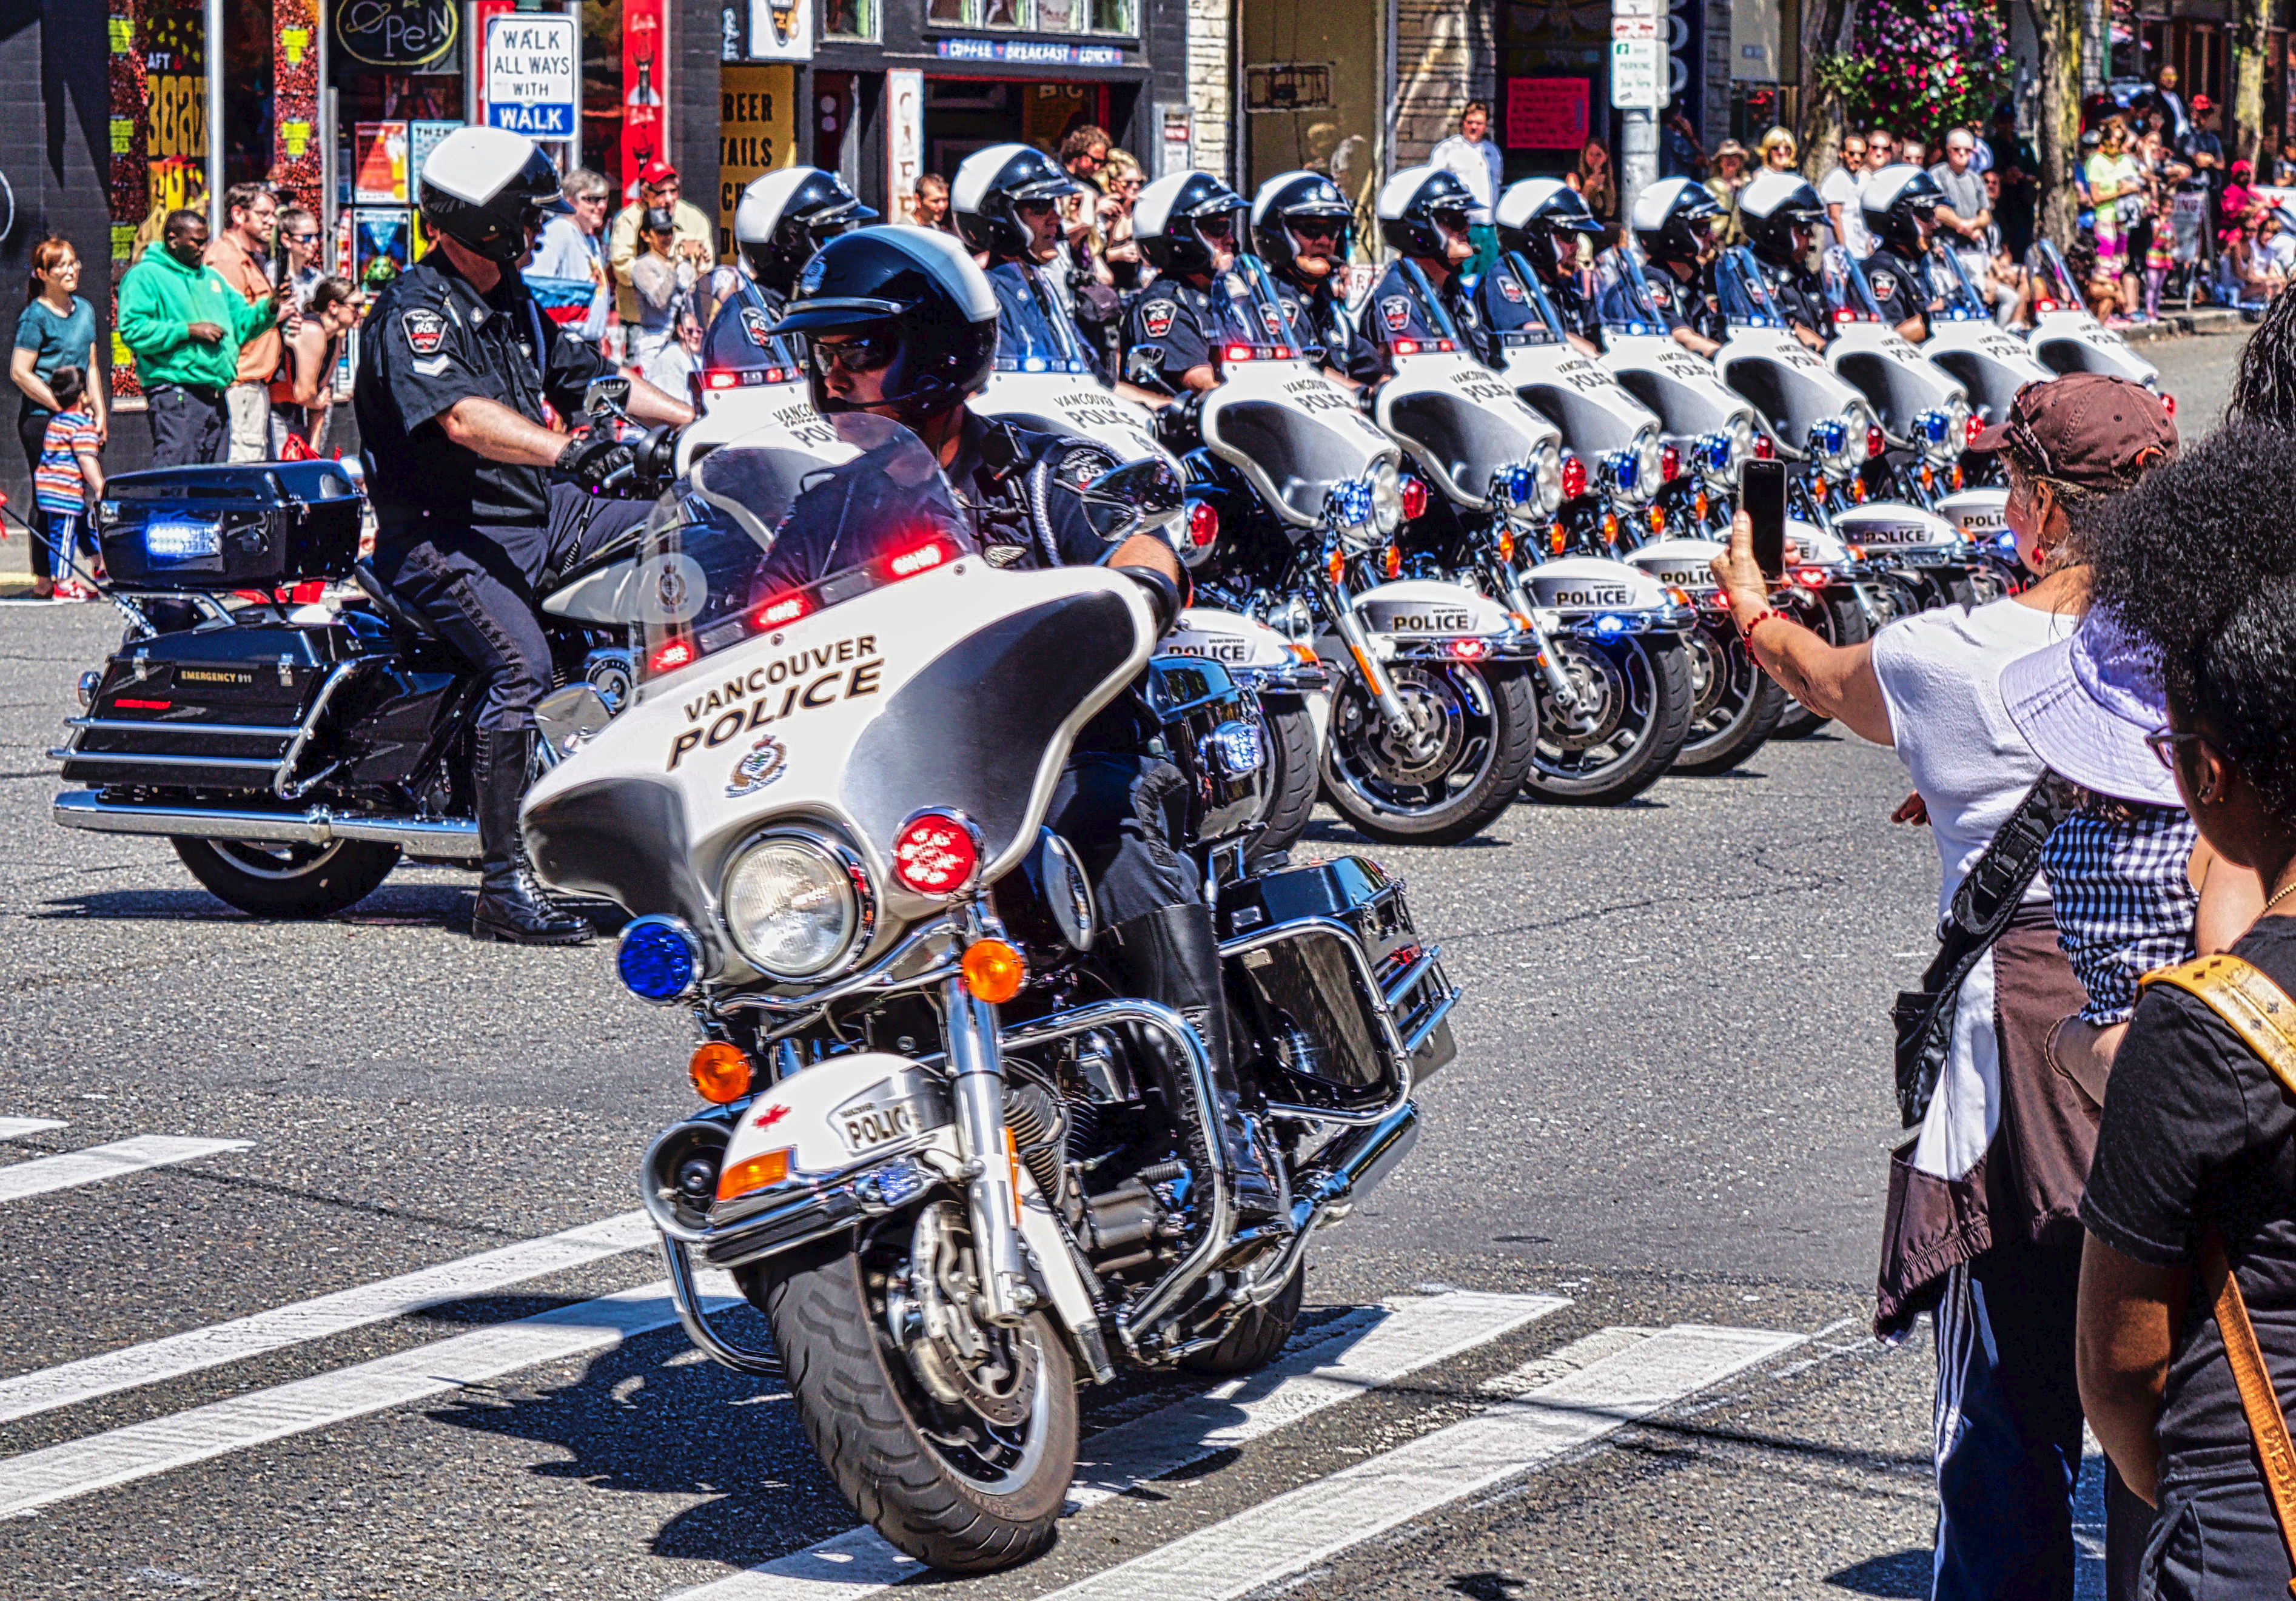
(293, 755)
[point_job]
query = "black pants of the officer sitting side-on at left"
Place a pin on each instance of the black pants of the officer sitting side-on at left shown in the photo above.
(486, 605)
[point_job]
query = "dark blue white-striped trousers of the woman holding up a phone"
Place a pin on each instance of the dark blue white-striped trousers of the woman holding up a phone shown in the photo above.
(2008, 1444)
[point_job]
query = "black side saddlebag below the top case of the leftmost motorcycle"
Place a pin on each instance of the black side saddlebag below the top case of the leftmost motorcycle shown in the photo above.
(208, 709)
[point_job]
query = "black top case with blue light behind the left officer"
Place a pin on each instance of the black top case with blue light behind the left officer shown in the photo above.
(228, 527)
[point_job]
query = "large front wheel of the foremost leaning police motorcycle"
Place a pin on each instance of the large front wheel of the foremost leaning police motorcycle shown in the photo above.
(952, 1437)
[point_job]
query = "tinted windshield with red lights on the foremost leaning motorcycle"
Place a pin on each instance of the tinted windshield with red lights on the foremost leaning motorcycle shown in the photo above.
(766, 534)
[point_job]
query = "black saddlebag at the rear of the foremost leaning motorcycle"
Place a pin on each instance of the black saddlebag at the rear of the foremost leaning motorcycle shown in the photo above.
(1308, 993)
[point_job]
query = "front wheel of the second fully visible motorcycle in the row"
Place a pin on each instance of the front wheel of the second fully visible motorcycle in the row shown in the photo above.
(1634, 718)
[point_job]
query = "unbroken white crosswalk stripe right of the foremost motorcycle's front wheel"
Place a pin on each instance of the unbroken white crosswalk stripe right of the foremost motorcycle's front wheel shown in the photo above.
(1344, 1510)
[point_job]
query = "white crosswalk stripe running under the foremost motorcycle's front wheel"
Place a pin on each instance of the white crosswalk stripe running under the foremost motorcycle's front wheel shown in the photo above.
(1370, 1352)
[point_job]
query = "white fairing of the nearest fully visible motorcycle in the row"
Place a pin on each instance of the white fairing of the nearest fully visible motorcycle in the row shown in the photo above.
(1298, 458)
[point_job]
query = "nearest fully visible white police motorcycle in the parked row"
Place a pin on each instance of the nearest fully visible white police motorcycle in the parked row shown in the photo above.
(1432, 713)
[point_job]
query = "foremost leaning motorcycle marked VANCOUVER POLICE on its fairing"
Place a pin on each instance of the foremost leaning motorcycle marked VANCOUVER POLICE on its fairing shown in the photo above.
(956, 1163)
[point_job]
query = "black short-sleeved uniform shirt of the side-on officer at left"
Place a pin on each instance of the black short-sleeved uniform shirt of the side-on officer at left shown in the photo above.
(428, 343)
